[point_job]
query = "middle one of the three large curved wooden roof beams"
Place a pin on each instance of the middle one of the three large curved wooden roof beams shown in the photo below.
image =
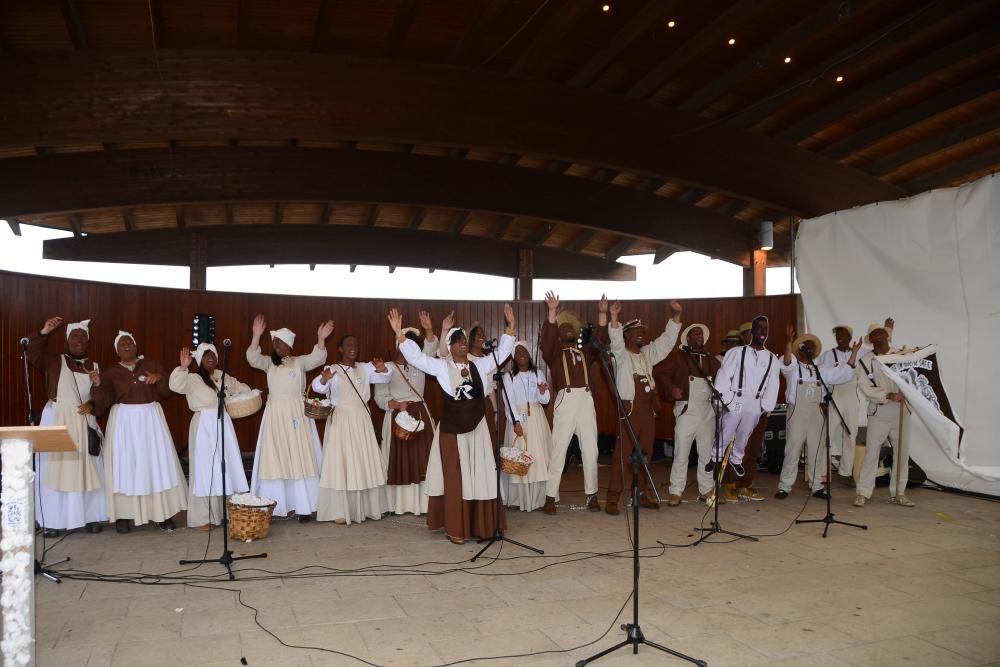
(34, 185)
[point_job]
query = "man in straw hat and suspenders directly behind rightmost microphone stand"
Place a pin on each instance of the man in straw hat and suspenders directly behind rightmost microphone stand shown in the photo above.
(804, 395)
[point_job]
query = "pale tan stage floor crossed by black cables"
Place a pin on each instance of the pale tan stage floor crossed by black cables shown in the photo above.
(920, 587)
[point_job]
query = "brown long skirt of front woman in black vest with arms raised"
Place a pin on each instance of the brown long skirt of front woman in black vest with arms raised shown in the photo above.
(460, 518)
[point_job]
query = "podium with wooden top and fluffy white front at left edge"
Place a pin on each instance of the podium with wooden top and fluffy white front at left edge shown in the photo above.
(17, 445)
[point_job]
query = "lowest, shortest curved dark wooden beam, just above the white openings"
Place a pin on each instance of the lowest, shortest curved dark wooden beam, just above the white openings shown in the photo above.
(302, 244)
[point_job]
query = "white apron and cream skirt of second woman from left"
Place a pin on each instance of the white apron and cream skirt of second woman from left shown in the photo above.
(139, 443)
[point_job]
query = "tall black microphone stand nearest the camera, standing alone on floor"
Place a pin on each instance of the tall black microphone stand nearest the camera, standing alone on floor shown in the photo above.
(633, 631)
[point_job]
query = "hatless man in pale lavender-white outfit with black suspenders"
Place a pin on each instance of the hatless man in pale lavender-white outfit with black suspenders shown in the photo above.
(748, 382)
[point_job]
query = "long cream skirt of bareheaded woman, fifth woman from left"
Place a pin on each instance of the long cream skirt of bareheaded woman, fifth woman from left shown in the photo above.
(352, 484)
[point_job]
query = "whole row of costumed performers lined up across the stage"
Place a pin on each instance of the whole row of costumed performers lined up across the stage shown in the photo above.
(445, 468)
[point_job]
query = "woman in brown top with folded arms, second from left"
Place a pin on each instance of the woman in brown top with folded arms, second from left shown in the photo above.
(144, 475)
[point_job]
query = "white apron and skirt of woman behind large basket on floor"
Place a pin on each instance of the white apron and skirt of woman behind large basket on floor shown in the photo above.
(205, 471)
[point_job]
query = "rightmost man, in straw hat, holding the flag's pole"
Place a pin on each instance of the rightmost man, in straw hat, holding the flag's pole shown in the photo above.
(885, 419)
